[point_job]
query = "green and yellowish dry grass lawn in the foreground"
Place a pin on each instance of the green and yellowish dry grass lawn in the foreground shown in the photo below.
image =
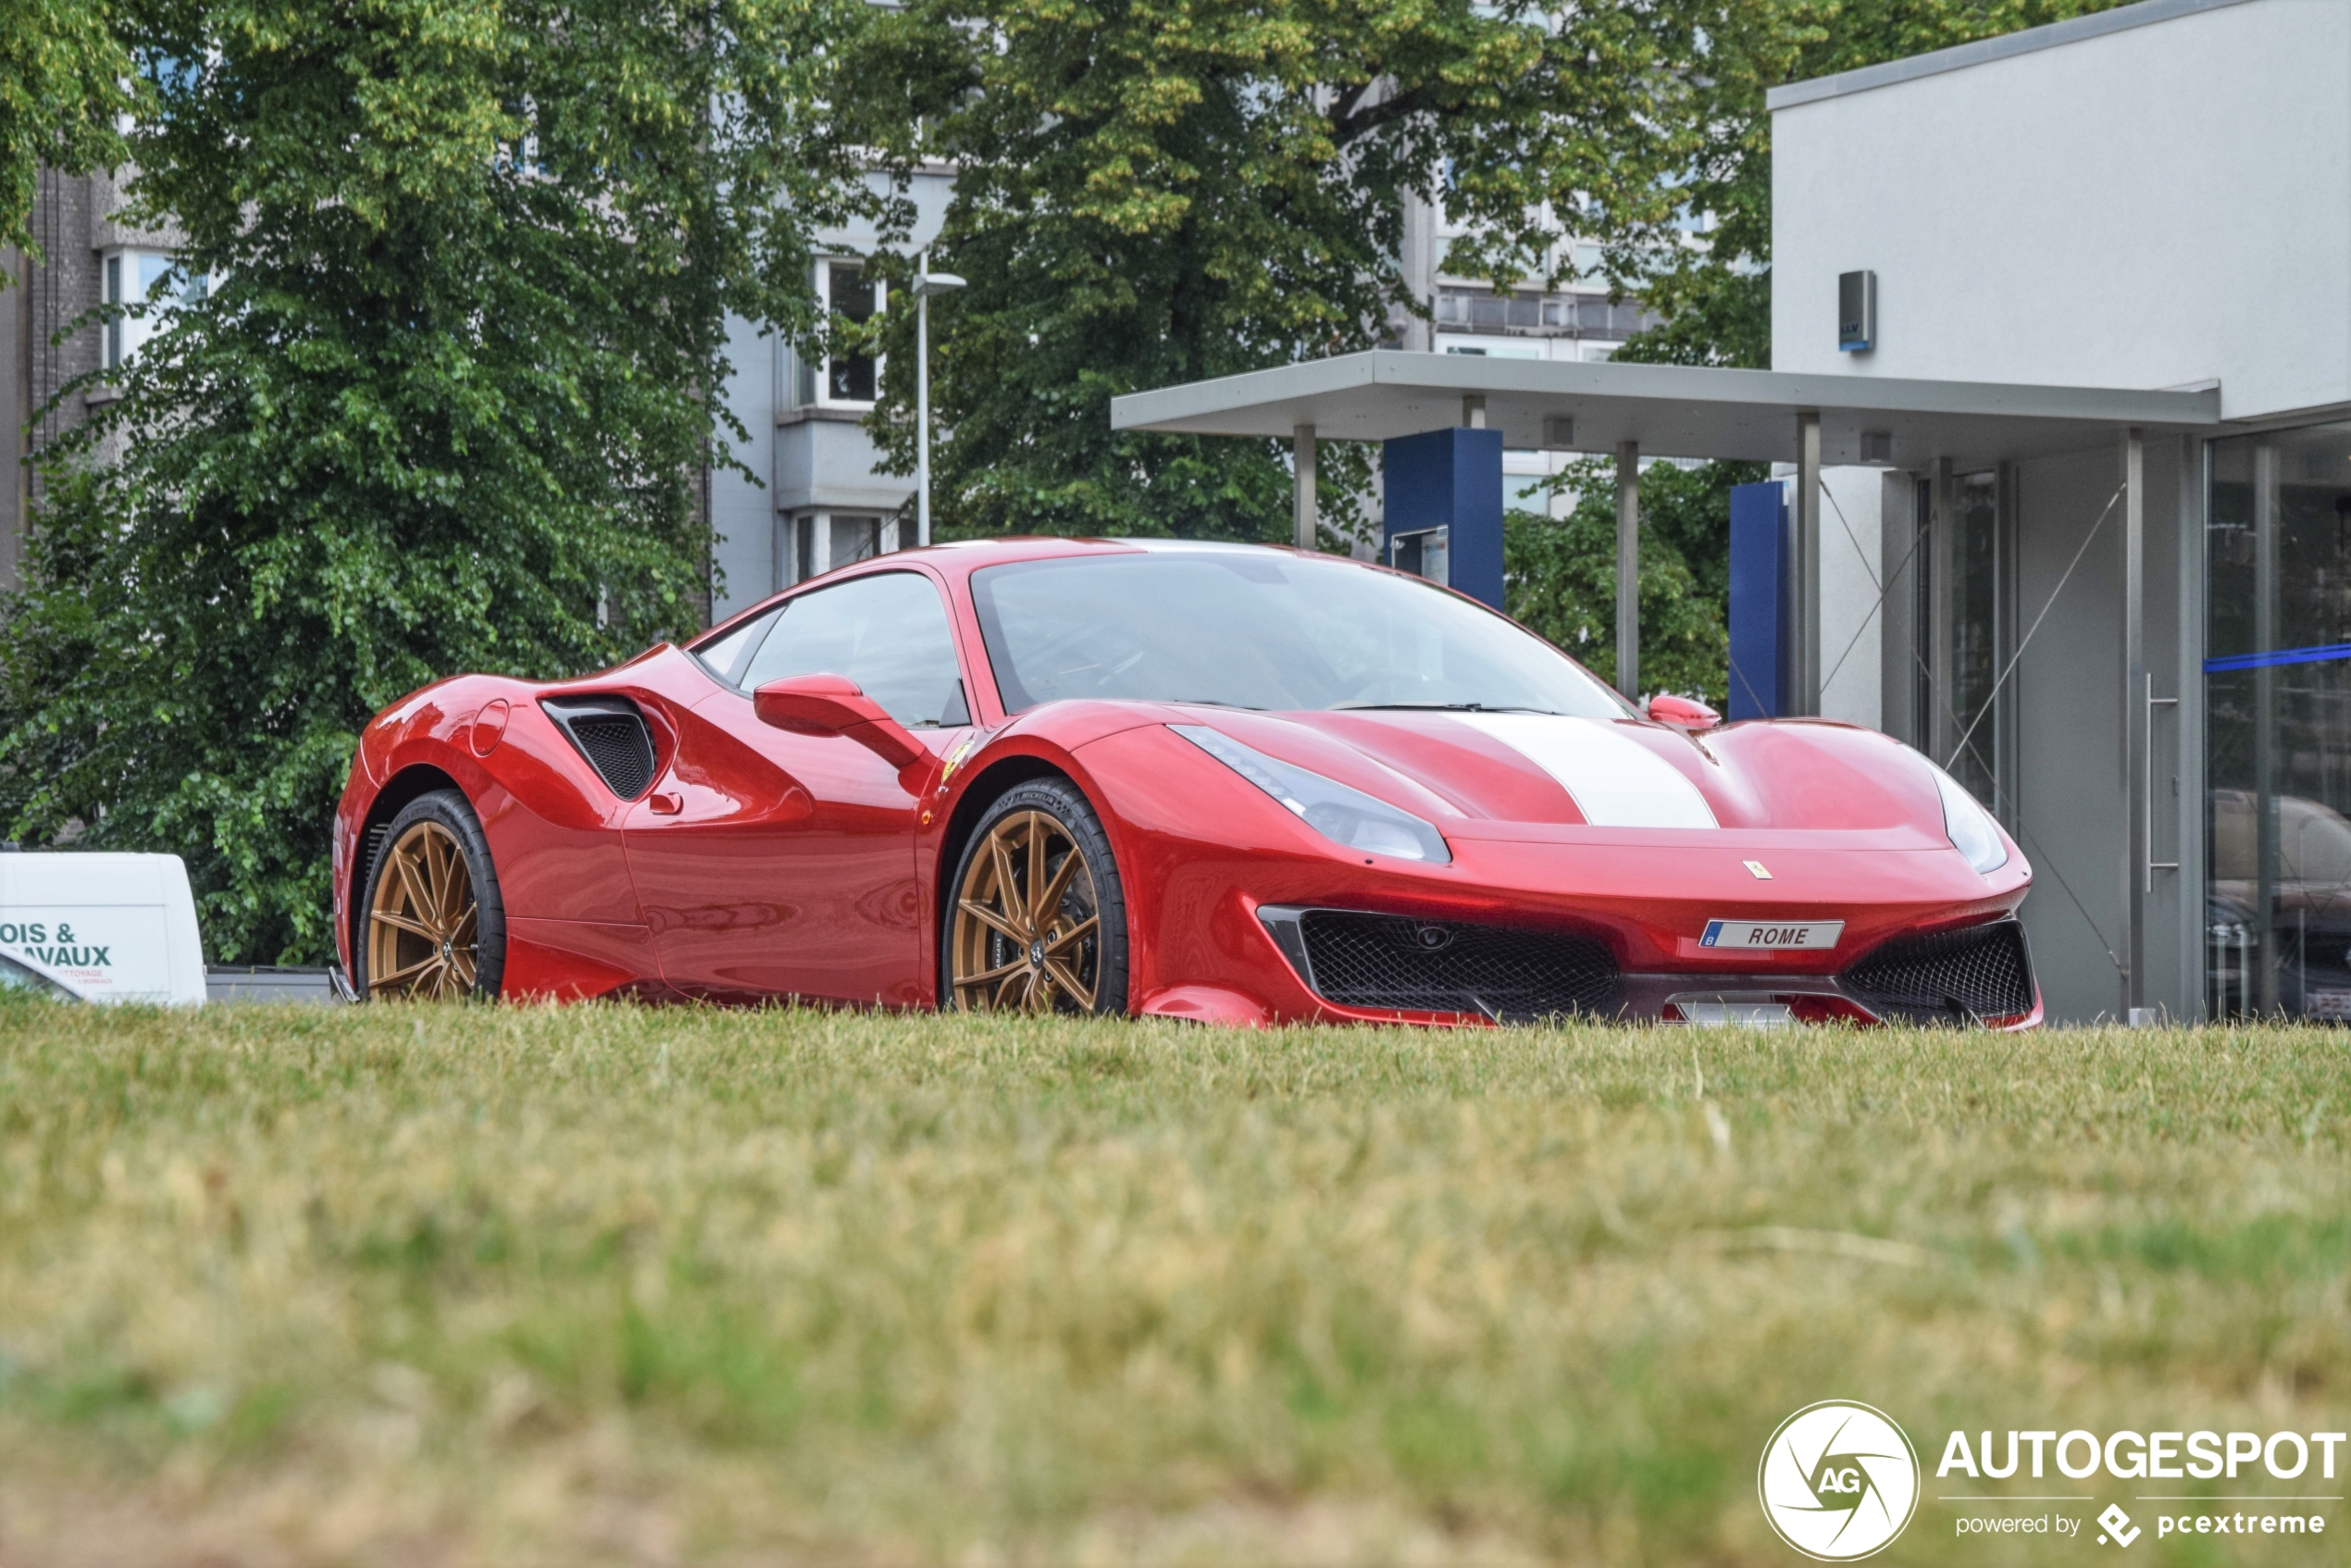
(659, 1285)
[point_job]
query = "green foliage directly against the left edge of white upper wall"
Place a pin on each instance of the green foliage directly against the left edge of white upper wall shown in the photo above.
(1717, 295)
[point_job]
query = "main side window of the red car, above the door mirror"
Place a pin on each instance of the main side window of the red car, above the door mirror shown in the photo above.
(888, 634)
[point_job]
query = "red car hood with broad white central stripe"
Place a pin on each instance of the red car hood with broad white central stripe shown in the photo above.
(1513, 772)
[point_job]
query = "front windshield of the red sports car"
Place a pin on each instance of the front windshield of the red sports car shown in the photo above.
(1254, 629)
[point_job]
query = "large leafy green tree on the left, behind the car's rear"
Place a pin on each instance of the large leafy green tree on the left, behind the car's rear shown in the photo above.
(441, 410)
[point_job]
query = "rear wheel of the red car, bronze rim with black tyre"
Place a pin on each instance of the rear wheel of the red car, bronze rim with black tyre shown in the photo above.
(434, 927)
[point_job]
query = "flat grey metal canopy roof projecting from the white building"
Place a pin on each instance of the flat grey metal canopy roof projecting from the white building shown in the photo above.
(1670, 410)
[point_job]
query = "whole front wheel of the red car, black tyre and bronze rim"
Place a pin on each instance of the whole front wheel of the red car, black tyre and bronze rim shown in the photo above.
(1038, 918)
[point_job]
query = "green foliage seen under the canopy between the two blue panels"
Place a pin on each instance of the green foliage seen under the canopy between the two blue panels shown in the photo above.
(1560, 575)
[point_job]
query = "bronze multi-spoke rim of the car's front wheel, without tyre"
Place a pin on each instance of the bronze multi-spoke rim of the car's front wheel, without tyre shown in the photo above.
(1029, 930)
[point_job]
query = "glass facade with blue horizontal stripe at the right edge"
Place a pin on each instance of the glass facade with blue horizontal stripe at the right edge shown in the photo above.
(2279, 723)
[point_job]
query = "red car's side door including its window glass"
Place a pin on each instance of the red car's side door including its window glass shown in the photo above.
(782, 864)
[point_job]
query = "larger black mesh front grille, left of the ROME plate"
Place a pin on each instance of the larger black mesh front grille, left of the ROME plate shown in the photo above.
(1442, 967)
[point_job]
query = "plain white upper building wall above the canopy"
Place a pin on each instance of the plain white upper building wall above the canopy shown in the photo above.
(2148, 206)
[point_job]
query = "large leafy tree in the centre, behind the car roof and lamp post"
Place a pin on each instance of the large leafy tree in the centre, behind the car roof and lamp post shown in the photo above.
(1158, 192)
